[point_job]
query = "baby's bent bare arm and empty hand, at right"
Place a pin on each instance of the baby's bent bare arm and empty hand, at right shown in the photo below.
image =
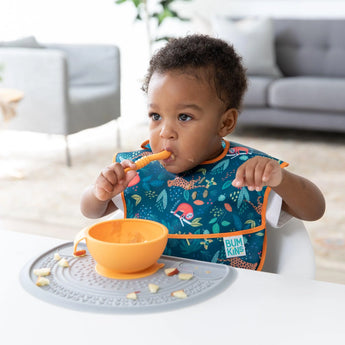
(301, 198)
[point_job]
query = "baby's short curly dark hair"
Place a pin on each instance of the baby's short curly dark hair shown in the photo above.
(203, 53)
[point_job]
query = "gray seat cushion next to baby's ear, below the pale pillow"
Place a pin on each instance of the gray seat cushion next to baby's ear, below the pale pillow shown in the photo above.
(256, 95)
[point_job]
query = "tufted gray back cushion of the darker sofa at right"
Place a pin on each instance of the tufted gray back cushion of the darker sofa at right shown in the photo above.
(310, 47)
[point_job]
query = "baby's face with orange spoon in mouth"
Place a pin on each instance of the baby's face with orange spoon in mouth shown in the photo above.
(185, 119)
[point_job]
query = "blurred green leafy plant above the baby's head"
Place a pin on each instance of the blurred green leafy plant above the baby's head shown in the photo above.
(157, 11)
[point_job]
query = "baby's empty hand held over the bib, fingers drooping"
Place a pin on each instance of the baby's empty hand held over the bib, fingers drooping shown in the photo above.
(257, 172)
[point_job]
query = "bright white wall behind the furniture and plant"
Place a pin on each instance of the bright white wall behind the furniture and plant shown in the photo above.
(101, 21)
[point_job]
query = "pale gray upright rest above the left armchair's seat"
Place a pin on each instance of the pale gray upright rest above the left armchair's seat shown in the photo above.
(92, 64)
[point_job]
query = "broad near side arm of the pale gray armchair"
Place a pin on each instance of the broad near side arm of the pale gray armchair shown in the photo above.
(41, 75)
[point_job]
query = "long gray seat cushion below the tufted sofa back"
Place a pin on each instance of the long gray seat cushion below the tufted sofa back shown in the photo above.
(308, 93)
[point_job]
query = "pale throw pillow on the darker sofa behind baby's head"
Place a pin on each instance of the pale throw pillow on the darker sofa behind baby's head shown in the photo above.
(252, 39)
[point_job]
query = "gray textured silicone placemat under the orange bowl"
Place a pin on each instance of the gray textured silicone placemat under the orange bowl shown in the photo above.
(80, 287)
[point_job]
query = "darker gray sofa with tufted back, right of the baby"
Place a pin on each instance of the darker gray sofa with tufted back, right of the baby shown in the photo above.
(310, 92)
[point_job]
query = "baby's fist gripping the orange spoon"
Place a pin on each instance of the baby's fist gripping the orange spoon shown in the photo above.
(113, 180)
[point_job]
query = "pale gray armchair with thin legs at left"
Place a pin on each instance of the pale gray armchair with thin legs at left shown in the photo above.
(67, 87)
